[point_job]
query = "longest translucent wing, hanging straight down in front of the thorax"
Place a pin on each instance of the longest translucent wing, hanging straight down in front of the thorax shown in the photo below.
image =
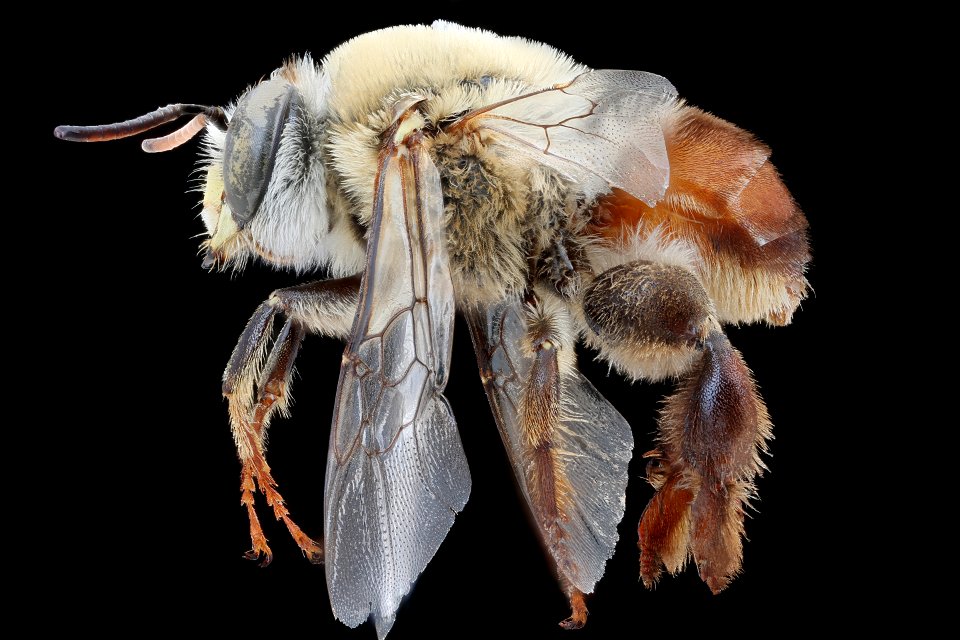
(396, 472)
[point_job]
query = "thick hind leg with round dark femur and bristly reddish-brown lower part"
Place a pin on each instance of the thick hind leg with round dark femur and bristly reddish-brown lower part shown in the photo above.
(711, 430)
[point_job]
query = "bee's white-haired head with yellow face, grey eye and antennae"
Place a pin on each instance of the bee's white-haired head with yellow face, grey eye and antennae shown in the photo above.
(264, 182)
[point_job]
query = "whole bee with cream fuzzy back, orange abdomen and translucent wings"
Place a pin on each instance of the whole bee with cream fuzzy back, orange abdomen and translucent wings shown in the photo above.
(435, 170)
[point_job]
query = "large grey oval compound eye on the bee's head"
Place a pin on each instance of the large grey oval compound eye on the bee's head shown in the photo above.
(253, 138)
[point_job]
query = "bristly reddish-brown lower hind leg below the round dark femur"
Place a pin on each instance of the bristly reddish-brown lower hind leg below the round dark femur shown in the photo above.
(711, 433)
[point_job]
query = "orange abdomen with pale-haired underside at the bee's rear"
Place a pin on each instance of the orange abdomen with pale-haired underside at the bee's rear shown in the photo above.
(727, 202)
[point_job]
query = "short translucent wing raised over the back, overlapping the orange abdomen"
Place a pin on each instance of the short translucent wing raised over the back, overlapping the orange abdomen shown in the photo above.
(605, 124)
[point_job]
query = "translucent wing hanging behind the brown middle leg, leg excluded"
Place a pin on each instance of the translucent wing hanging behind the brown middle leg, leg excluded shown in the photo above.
(592, 444)
